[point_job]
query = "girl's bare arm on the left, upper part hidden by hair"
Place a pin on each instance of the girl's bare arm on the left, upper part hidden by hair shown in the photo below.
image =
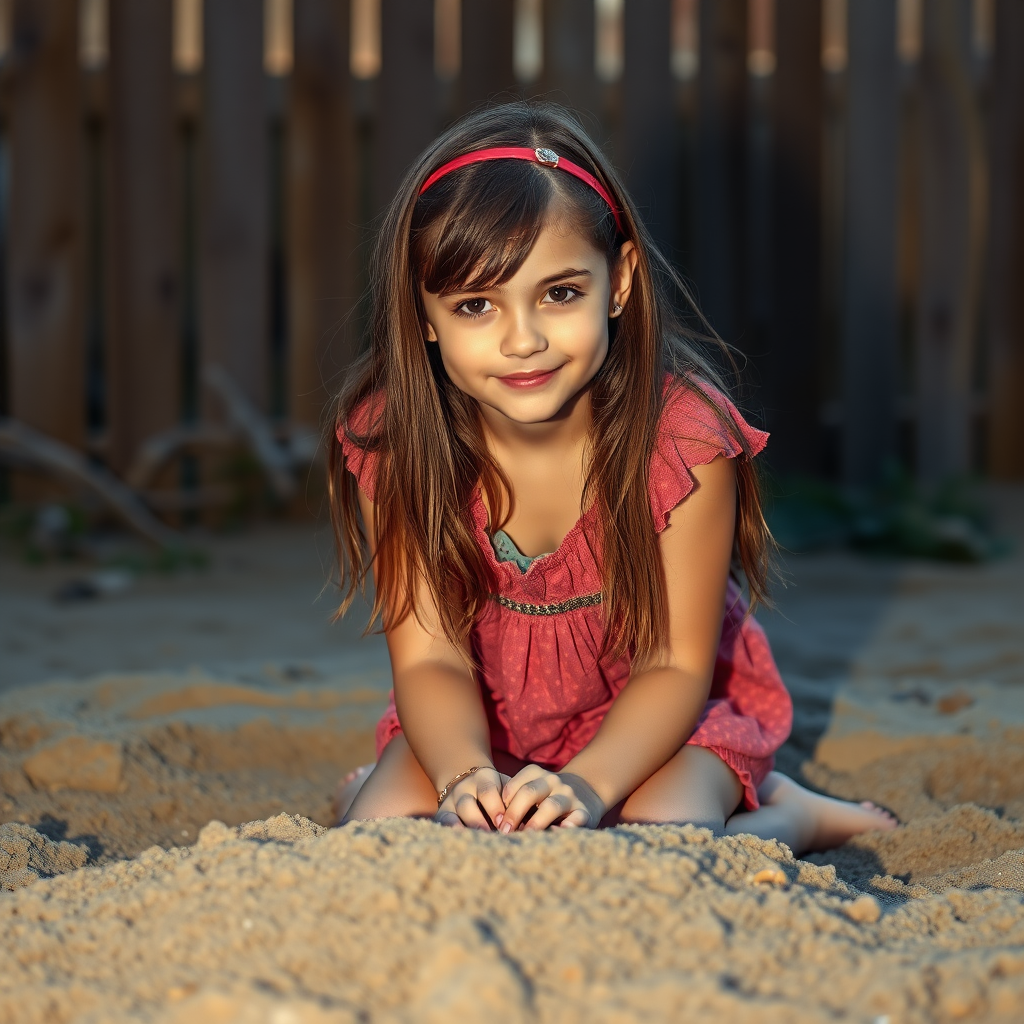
(438, 698)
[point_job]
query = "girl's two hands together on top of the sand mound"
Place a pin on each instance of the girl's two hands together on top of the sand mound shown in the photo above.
(491, 801)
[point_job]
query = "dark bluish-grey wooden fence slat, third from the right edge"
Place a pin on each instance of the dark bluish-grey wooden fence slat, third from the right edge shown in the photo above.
(870, 322)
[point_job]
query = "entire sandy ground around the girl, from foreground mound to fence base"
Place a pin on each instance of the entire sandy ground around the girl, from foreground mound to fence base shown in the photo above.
(129, 723)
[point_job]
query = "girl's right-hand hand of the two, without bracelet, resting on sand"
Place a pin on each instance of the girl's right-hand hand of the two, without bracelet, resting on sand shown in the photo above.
(562, 799)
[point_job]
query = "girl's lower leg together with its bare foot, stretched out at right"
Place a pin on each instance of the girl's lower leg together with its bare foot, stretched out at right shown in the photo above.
(805, 821)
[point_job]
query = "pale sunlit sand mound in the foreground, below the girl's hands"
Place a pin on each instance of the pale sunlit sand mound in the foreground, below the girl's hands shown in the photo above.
(403, 921)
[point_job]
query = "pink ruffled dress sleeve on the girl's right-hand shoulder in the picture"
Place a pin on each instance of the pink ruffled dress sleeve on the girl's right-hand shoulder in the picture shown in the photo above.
(695, 433)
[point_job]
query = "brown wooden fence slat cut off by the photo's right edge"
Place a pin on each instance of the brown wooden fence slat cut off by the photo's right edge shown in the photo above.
(1006, 257)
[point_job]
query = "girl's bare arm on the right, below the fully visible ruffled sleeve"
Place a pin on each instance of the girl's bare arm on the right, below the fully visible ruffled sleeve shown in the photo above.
(659, 708)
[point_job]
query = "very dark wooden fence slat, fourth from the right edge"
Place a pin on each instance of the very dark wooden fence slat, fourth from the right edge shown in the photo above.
(791, 371)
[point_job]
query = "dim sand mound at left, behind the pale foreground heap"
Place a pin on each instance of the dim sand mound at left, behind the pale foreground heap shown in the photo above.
(119, 763)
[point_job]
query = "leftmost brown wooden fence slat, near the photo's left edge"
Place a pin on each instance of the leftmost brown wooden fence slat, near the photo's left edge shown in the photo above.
(47, 350)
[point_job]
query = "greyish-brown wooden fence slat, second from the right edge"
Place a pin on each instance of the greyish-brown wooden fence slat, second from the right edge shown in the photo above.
(947, 310)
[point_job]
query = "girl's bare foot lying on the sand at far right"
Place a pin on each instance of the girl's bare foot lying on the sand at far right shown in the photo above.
(824, 822)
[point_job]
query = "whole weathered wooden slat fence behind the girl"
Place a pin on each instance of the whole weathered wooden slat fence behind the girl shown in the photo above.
(184, 244)
